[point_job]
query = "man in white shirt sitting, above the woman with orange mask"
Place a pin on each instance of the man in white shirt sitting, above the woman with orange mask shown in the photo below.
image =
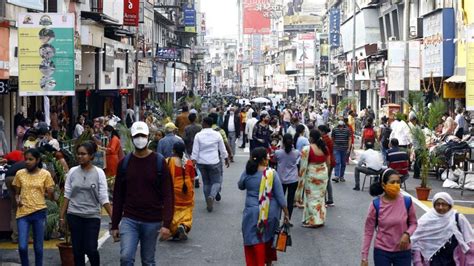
(370, 163)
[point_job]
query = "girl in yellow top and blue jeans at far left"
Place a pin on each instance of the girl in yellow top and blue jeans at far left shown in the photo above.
(30, 187)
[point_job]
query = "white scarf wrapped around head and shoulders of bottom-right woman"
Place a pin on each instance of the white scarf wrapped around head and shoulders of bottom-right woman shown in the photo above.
(435, 229)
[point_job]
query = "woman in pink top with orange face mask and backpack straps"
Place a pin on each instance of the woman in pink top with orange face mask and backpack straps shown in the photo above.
(392, 216)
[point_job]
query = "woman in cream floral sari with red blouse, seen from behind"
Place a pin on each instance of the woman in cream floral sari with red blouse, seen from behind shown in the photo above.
(314, 164)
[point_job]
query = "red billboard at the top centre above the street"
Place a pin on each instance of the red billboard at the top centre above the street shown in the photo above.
(255, 21)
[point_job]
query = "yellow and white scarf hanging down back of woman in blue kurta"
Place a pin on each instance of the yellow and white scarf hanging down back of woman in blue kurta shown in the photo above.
(264, 197)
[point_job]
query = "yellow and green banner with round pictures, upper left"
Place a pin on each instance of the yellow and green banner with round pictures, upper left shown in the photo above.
(46, 54)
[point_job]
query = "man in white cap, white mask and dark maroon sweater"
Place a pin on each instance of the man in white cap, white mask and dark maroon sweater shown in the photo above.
(143, 200)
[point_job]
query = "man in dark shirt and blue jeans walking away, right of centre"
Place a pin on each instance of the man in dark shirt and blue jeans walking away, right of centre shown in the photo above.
(342, 143)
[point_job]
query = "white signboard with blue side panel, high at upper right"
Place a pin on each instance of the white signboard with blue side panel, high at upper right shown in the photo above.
(438, 43)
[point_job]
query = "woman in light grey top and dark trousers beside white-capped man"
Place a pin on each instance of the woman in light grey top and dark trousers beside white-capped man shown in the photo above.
(85, 193)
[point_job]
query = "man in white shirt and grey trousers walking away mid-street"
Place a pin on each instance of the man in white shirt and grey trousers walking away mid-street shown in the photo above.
(208, 146)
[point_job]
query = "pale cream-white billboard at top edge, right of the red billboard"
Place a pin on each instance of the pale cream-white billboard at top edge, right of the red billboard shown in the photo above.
(302, 15)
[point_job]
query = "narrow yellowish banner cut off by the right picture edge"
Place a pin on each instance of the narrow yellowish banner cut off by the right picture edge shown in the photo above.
(470, 69)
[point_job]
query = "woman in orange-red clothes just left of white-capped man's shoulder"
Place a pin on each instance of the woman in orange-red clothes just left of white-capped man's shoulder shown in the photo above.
(113, 151)
